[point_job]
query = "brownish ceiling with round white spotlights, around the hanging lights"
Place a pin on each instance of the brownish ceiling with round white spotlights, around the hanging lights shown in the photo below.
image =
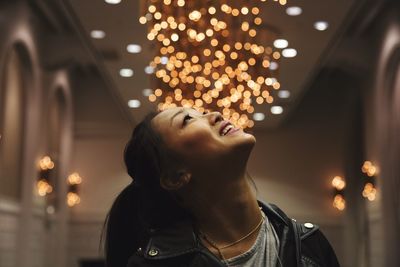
(120, 22)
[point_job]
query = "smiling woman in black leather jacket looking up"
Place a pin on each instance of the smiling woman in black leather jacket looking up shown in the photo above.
(190, 203)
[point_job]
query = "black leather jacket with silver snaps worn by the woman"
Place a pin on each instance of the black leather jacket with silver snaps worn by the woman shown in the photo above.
(300, 245)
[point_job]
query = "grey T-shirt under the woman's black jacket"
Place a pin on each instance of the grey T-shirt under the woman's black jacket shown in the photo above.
(263, 253)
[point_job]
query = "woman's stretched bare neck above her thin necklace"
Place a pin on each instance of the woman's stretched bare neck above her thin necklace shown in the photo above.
(226, 213)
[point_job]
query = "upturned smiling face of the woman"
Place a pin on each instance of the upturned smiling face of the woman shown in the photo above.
(200, 138)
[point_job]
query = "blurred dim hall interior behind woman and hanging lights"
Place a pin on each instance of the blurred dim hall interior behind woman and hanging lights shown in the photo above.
(76, 76)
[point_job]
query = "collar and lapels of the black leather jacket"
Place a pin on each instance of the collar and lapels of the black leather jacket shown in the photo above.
(181, 239)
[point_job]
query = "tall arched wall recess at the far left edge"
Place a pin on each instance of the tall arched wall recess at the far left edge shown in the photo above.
(12, 107)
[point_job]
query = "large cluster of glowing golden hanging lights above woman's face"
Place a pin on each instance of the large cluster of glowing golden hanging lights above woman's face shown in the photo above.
(212, 55)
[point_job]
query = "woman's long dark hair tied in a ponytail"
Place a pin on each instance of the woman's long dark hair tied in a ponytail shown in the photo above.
(143, 204)
